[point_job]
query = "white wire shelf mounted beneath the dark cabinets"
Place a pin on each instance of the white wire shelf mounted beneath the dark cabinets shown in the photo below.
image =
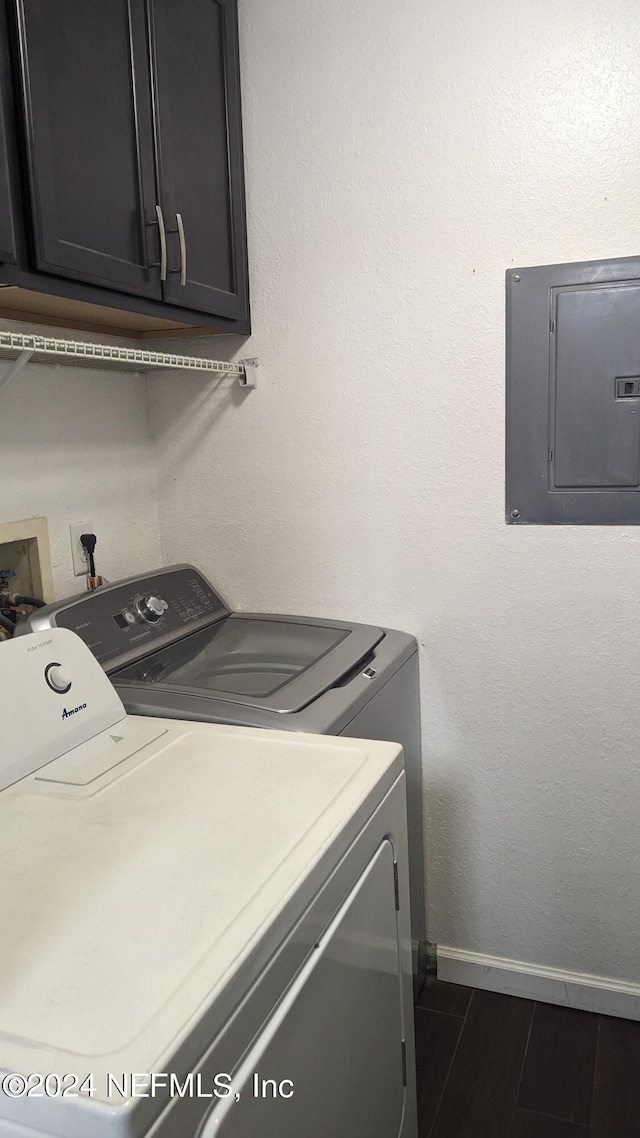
(51, 350)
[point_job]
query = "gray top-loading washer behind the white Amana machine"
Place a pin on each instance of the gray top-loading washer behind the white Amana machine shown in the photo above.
(174, 648)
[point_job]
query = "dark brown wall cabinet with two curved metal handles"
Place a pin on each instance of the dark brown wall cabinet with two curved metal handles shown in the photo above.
(128, 151)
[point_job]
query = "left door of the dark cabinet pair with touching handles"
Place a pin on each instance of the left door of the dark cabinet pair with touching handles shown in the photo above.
(89, 139)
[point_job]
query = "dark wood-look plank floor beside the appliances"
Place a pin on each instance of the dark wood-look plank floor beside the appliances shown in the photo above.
(499, 1067)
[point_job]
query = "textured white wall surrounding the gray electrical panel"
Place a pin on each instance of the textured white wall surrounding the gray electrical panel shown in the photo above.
(400, 156)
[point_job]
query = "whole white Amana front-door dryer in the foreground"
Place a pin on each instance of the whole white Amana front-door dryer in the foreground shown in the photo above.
(204, 929)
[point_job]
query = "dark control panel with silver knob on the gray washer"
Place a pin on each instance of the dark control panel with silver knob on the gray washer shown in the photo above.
(129, 619)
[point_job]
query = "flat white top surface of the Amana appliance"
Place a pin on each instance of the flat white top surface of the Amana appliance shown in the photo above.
(129, 906)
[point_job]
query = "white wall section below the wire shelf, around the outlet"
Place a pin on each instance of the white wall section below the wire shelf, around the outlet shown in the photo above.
(76, 447)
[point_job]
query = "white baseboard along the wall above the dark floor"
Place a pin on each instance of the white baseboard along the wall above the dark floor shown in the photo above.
(549, 986)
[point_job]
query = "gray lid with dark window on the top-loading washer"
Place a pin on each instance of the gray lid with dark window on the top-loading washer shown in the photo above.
(274, 663)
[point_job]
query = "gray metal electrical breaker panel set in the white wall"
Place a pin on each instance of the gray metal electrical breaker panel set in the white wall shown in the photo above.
(573, 394)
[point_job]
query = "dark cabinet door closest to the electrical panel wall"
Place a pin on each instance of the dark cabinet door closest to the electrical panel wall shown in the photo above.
(200, 153)
